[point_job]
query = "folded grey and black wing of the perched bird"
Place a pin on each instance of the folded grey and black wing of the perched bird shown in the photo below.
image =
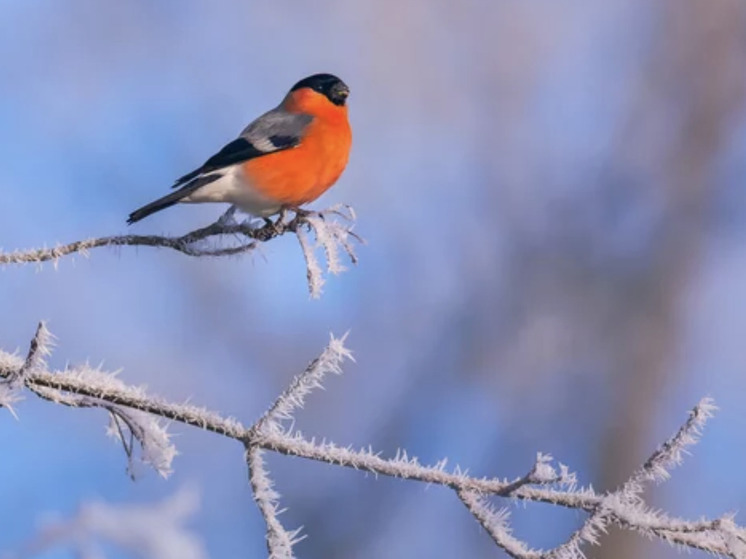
(276, 130)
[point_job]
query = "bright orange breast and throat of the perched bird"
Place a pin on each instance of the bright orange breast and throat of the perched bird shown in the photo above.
(300, 175)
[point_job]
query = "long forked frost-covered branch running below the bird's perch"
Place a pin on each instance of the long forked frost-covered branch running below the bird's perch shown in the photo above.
(134, 415)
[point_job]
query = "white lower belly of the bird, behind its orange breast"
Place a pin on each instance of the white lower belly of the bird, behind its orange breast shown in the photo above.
(231, 188)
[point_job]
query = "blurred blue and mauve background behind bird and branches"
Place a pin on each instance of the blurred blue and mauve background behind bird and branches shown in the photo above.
(552, 195)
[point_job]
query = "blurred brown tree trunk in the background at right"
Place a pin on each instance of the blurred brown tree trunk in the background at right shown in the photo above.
(694, 72)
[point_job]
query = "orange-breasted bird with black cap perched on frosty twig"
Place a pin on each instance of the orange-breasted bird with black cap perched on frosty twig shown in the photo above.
(287, 157)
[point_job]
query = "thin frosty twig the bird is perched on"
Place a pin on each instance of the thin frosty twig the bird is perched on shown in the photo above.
(331, 228)
